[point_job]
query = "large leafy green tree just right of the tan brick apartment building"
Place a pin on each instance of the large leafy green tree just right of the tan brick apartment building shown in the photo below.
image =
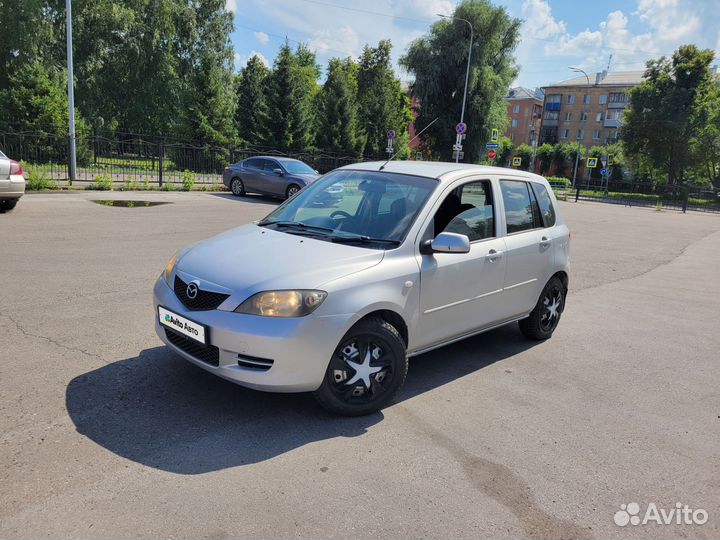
(662, 118)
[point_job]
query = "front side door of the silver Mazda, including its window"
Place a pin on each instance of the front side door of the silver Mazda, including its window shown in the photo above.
(461, 292)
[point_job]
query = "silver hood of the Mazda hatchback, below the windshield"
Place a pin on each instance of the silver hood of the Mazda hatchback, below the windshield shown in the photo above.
(251, 259)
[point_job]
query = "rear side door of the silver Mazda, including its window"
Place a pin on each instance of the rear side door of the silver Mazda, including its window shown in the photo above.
(528, 247)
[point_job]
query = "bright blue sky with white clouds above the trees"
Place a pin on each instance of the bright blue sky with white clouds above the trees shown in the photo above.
(555, 34)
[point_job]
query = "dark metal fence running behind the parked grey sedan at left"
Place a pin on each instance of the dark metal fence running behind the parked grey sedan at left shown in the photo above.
(141, 160)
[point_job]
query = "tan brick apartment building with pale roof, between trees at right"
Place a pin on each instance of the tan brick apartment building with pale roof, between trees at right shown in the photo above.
(587, 110)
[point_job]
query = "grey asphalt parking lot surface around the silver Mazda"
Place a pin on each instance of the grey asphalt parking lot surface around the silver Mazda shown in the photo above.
(105, 433)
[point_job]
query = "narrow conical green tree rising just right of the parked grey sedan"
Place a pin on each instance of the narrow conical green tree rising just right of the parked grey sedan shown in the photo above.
(337, 109)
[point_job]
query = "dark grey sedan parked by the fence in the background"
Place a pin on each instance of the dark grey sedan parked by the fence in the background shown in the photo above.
(269, 175)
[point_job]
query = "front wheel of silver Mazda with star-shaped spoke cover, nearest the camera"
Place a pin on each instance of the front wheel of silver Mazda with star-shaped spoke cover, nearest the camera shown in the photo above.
(366, 370)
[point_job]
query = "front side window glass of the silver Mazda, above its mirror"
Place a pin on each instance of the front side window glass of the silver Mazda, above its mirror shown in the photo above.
(467, 210)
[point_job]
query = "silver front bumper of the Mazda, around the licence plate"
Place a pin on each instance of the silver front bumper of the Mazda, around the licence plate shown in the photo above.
(300, 348)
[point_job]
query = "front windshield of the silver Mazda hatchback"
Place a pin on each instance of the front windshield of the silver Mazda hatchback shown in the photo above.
(372, 208)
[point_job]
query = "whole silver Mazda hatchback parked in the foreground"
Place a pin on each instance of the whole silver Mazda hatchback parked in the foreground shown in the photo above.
(333, 294)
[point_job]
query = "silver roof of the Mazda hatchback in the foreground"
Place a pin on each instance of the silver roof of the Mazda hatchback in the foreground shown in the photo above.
(440, 170)
